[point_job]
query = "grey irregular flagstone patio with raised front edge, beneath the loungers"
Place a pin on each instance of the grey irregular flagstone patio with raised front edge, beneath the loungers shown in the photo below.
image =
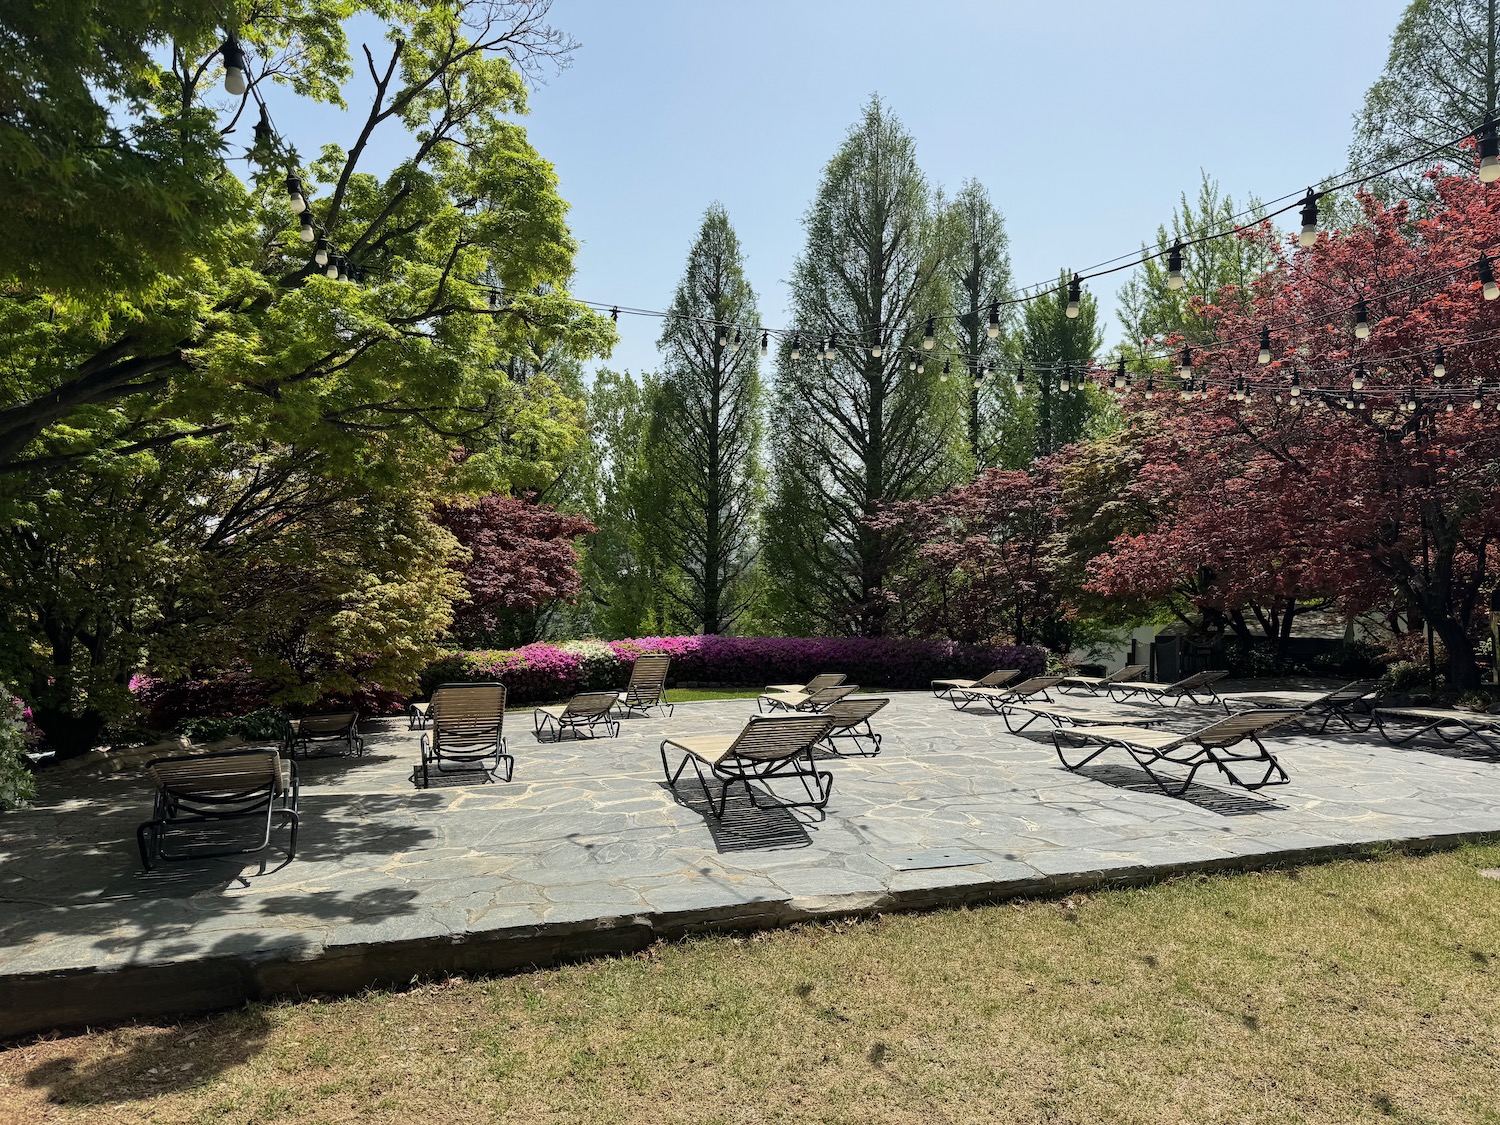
(589, 853)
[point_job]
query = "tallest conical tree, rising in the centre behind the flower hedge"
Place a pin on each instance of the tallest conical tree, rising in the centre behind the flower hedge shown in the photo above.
(875, 424)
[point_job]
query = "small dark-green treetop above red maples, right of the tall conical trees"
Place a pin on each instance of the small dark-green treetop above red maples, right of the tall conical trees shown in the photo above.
(1058, 349)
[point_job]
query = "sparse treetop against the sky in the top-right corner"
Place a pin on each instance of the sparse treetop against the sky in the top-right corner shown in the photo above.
(1441, 80)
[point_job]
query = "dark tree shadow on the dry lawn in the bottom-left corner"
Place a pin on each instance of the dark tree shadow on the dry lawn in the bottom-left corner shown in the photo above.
(152, 1061)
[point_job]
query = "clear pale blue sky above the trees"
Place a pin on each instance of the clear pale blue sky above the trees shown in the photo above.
(1085, 119)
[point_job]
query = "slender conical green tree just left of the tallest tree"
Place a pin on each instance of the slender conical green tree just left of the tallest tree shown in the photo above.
(709, 445)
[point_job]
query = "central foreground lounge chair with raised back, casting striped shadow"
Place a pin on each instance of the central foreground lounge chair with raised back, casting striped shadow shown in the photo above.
(769, 748)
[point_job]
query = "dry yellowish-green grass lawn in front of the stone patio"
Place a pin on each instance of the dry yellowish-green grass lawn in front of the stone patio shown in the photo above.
(1348, 992)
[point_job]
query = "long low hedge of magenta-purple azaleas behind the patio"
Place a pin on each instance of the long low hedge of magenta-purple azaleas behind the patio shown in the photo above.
(553, 671)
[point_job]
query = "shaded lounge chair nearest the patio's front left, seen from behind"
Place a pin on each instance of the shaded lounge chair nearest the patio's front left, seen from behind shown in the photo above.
(202, 790)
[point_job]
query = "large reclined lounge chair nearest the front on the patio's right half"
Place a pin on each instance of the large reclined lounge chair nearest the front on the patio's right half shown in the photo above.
(1211, 745)
